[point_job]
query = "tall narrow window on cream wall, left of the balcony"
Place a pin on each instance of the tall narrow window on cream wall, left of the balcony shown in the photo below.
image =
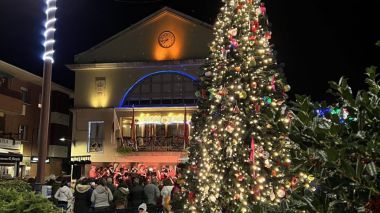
(95, 136)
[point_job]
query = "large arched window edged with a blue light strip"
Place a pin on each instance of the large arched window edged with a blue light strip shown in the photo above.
(162, 88)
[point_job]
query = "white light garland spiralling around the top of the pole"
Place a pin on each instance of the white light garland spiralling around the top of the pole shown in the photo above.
(49, 31)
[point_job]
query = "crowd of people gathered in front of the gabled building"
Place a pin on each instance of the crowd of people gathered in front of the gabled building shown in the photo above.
(121, 191)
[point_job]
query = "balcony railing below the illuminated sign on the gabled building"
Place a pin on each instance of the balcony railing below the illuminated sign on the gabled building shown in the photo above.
(172, 143)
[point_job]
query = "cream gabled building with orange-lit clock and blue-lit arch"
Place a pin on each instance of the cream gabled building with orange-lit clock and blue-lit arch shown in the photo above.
(135, 92)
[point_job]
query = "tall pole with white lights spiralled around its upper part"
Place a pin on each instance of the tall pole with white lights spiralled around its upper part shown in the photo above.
(43, 131)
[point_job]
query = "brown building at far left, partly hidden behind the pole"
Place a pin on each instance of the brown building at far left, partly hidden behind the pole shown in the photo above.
(20, 102)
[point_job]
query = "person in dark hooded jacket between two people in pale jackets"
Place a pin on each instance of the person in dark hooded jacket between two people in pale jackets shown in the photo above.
(82, 196)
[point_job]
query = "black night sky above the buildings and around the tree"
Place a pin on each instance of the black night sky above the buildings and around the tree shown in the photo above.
(318, 41)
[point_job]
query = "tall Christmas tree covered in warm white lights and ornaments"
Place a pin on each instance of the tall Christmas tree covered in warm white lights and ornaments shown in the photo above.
(240, 158)
